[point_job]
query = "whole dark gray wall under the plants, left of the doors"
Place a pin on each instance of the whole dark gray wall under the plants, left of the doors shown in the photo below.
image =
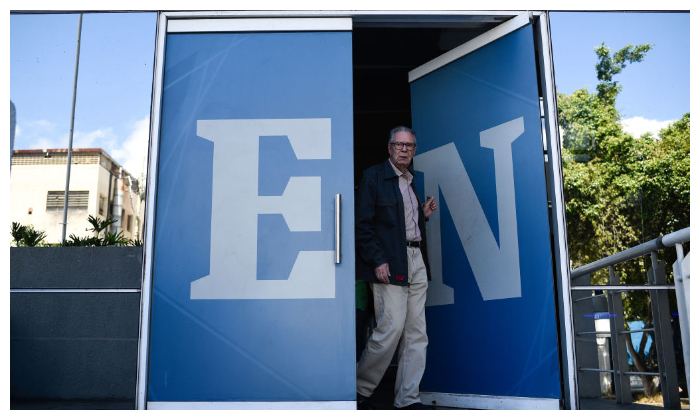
(72, 345)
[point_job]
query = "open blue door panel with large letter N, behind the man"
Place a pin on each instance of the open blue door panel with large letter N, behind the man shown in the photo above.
(491, 304)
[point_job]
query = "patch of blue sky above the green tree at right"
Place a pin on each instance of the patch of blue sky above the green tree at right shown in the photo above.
(655, 91)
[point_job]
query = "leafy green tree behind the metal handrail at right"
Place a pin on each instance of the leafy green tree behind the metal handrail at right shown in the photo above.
(621, 191)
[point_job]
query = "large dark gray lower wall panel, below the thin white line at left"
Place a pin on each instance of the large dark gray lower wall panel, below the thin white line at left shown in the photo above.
(73, 346)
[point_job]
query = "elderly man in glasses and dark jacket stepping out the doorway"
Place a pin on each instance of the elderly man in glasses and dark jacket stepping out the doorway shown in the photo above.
(392, 256)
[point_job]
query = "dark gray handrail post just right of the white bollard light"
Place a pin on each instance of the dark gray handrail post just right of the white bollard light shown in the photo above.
(623, 391)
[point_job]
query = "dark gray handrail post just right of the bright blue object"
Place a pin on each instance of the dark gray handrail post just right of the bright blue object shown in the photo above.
(663, 339)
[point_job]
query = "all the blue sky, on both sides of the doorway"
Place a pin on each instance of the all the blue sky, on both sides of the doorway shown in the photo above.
(116, 68)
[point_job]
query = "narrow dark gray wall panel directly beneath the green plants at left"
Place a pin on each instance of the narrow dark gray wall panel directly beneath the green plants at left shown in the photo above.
(76, 267)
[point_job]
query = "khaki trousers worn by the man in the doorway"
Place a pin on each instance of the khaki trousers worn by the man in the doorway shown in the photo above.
(400, 314)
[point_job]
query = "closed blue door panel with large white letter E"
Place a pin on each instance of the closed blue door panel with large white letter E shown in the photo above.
(256, 141)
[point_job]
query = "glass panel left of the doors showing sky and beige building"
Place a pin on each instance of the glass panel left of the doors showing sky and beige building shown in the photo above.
(110, 133)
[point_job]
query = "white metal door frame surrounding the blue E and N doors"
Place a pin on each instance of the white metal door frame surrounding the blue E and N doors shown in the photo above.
(185, 21)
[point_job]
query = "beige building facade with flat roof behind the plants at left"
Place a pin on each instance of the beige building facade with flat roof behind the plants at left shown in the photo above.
(98, 187)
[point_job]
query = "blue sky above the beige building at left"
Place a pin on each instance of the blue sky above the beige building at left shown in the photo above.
(114, 82)
